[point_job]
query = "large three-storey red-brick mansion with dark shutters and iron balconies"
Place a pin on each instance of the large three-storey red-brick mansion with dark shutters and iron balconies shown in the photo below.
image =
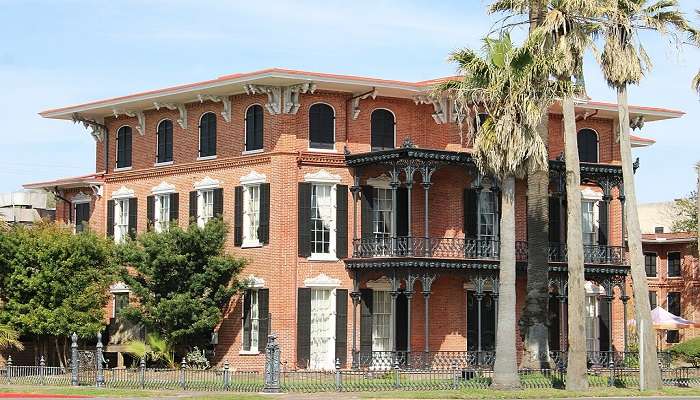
(367, 225)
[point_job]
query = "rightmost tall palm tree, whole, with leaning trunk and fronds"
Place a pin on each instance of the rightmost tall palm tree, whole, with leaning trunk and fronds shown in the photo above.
(624, 62)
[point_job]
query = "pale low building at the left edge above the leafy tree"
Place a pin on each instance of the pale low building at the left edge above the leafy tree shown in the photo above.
(25, 207)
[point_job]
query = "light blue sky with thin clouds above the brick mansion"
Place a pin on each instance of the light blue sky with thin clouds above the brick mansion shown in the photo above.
(57, 53)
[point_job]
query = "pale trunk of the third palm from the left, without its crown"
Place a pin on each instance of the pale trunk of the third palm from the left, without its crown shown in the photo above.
(576, 373)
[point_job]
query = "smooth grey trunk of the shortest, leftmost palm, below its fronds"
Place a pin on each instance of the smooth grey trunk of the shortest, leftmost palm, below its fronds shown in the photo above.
(505, 370)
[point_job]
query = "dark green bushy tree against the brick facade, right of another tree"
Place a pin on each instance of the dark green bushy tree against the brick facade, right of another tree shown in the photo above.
(182, 280)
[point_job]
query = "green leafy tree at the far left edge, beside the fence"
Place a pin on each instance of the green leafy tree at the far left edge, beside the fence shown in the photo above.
(54, 282)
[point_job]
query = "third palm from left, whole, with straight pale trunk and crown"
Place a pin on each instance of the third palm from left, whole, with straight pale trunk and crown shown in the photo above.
(567, 29)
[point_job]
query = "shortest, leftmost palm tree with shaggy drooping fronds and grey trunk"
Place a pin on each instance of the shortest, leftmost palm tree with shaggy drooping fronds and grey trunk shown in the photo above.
(504, 82)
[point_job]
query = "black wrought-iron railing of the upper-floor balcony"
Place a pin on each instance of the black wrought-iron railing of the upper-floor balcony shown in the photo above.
(474, 249)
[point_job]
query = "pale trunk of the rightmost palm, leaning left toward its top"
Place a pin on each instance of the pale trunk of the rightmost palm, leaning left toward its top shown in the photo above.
(651, 379)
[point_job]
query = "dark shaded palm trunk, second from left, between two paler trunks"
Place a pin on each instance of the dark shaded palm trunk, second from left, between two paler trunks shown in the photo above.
(534, 320)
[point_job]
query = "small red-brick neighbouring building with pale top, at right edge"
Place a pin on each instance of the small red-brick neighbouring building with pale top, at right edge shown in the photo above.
(672, 267)
